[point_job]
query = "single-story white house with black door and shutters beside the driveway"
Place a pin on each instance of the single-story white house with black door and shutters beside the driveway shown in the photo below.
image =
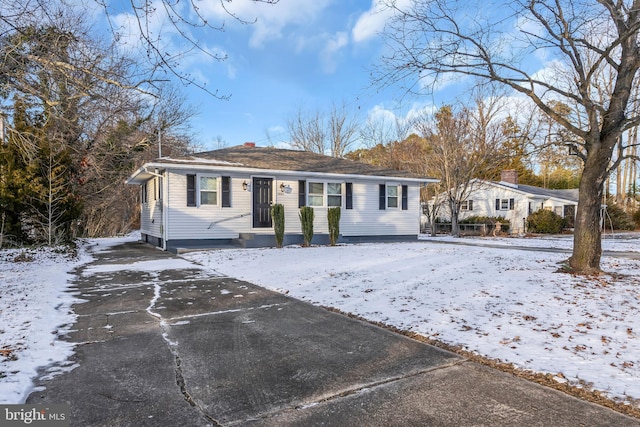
(224, 197)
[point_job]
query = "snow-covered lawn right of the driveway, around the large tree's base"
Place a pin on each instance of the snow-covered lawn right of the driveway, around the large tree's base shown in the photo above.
(506, 304)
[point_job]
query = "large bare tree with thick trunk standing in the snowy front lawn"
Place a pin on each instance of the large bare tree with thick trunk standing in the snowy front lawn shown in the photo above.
(430, 39)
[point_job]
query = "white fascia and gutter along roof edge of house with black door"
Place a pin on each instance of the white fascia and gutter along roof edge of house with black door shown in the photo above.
(133, 179)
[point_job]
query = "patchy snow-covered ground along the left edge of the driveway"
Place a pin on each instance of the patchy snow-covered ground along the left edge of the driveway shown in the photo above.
(35, 310)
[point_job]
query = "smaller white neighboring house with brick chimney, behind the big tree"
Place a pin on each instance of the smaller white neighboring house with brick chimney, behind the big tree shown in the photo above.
(513, 201)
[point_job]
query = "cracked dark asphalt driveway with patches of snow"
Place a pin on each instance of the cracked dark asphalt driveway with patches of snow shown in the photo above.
(168, 346)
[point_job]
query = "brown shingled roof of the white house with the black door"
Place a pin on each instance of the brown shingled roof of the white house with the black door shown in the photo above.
(269, 158)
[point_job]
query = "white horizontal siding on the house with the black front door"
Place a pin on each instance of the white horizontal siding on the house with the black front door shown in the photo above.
(215, 222)
